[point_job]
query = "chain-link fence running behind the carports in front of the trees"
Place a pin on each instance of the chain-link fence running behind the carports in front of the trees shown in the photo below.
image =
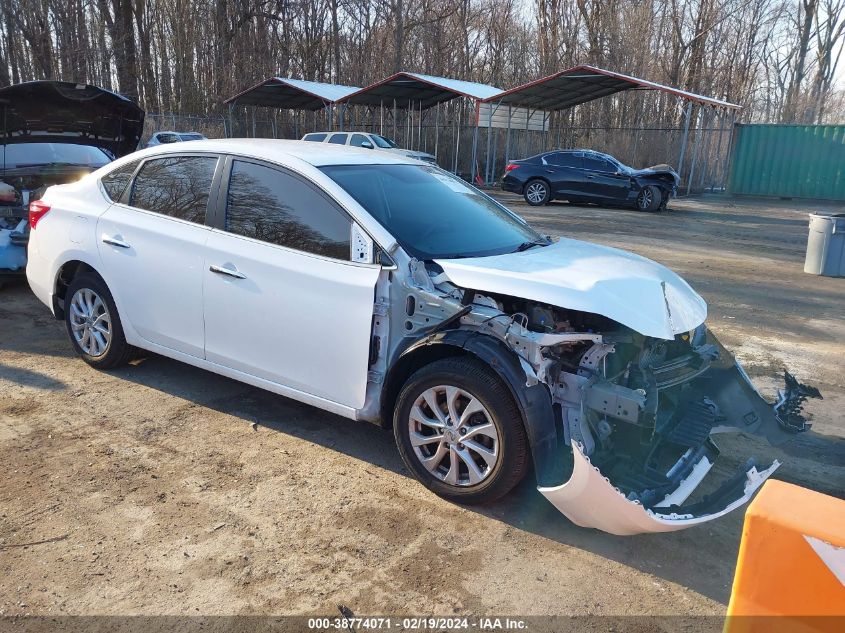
(480, 154)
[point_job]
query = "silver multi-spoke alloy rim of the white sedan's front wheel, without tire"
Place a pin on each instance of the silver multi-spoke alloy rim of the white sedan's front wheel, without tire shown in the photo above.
(453, 436)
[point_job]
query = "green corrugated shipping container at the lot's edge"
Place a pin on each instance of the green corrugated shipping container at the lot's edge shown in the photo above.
(789, 161)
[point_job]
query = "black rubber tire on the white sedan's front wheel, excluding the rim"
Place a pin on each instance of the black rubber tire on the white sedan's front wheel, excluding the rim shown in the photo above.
(477, 380)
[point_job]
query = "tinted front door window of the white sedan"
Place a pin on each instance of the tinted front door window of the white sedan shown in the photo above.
(270, 205)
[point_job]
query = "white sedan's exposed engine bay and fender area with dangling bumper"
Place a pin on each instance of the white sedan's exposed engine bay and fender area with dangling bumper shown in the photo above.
(636, 415)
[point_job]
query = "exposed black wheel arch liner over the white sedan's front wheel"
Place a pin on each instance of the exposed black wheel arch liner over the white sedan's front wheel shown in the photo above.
(533, 401)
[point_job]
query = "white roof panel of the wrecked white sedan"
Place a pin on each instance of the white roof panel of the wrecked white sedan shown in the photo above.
(316, 154)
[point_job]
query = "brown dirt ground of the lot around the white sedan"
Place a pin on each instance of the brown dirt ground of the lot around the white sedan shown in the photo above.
(164, 489)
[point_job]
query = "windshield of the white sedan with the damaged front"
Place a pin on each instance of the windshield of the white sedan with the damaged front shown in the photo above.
(433, 214)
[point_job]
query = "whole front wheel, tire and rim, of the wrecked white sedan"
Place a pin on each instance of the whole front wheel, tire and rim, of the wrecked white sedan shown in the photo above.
(459, 431)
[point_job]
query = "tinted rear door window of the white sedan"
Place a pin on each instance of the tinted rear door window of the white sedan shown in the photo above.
(178, 186)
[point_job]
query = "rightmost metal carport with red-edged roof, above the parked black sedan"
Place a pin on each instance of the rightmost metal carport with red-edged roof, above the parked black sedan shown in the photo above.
(581, 84)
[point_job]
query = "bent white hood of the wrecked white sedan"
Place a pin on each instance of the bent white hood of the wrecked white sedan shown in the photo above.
(632, 290)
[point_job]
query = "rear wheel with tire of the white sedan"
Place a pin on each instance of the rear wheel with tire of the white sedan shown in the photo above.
(93, 323)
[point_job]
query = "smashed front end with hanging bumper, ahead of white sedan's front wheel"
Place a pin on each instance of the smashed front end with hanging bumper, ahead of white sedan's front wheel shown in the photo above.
(641, 417)
